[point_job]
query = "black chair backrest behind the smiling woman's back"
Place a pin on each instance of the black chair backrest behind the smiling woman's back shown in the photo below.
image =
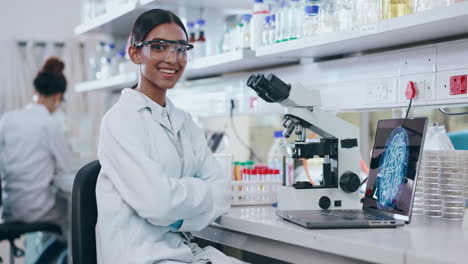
(84, 214)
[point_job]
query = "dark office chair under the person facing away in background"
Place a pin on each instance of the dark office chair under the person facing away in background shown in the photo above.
(13, 230)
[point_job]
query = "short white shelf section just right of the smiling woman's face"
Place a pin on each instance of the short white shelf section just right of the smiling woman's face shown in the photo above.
(240, 60)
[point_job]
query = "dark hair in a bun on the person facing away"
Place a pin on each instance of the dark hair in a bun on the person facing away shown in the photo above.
(50, 79)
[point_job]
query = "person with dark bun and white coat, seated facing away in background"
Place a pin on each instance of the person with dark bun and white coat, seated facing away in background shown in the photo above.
(35, 160)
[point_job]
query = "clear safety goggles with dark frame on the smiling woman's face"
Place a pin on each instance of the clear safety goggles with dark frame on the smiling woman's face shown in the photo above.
(160, 49)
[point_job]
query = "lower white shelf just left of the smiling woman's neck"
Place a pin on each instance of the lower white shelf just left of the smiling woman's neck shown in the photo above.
(114, 82)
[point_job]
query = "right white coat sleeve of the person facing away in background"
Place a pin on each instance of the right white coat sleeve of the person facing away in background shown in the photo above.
(64, 175)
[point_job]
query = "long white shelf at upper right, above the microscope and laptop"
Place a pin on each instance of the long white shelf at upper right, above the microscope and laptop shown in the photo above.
(416, 28)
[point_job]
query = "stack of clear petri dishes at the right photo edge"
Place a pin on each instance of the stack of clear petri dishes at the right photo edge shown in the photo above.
(452, 183)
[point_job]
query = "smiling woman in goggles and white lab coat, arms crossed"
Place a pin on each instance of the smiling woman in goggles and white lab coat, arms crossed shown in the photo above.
(159, 181)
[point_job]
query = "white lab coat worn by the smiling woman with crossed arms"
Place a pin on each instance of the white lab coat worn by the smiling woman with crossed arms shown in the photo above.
(146, 183)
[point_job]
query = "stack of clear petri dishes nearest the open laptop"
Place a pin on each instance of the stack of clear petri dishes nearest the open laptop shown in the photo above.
(432, 196)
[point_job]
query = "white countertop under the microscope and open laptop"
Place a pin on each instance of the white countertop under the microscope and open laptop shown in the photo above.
(424, 240)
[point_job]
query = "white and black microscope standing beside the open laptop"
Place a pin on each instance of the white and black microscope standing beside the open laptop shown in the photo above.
(338, 145)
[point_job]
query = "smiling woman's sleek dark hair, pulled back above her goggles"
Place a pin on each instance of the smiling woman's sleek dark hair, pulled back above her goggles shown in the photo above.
(151, 19)
